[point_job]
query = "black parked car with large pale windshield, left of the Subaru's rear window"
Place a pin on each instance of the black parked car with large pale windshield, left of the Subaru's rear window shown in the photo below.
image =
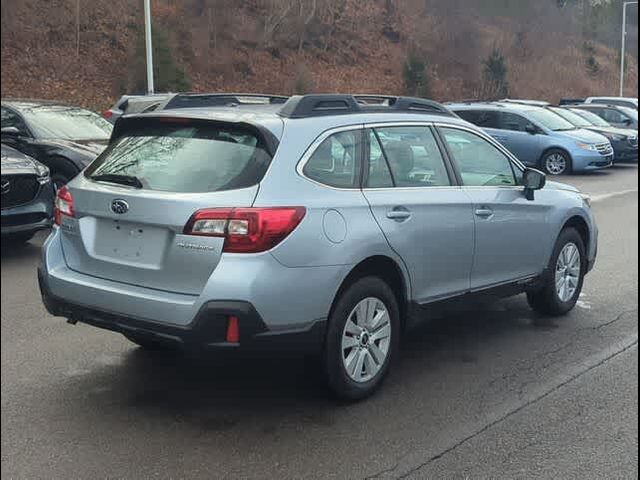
(64, 138)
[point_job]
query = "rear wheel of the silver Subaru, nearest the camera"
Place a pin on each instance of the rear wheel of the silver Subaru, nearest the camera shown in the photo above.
(370, 350)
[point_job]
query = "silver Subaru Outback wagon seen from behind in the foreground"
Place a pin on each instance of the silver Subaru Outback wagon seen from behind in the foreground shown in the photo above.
(324, 224)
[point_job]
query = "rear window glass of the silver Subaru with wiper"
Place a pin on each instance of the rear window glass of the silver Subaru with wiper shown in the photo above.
(185, 157)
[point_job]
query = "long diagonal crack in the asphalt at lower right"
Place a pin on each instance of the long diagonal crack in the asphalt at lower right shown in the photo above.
(511, 413)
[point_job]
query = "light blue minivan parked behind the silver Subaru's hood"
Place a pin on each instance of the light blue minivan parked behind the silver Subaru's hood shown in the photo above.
(539, 137)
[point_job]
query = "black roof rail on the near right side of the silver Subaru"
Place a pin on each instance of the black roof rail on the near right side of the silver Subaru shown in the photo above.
(318, 105)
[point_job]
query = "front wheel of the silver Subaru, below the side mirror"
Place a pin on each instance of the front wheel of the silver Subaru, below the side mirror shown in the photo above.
(551, 300)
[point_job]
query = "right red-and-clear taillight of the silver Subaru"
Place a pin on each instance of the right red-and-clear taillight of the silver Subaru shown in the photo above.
(246, 230)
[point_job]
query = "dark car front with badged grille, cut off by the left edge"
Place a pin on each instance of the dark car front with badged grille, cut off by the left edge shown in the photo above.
(27, 196)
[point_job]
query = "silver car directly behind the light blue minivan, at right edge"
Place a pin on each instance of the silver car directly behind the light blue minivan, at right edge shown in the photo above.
(624, 142)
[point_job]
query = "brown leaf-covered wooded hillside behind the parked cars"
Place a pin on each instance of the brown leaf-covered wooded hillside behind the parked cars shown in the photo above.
(286, 46)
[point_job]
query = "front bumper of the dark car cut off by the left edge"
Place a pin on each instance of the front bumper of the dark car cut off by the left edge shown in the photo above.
(34, 216)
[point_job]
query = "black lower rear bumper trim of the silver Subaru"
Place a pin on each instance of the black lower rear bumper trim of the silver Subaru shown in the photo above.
(207, 330)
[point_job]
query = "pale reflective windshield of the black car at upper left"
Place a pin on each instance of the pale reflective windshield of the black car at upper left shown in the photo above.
(67, 123)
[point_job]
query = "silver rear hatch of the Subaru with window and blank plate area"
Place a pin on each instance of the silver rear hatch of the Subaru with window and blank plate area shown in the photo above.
(131, 206)
